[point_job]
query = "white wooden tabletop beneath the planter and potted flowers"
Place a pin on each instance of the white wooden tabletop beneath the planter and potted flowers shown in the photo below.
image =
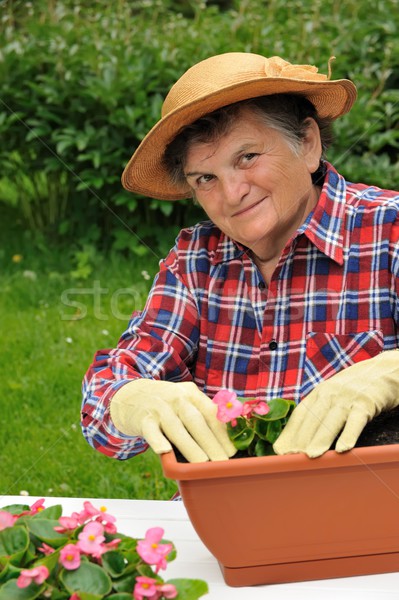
(193, 560)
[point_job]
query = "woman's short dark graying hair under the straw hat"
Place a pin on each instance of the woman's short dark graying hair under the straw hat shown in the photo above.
(287, 113)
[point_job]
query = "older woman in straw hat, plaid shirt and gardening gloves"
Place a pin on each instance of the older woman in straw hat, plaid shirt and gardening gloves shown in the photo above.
(290, 289)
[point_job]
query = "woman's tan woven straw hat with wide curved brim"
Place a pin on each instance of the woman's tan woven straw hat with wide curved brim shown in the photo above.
(216, 82)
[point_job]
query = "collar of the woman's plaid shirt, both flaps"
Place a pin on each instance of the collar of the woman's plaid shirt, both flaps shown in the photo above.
(324, 226)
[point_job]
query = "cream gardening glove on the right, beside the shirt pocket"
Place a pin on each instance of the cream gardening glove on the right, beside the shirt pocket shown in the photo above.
(345, 402)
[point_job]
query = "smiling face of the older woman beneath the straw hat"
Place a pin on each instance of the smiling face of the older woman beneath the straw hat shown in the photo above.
(252, 184)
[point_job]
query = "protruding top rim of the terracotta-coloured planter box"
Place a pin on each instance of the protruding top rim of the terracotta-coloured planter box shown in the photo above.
(368, 455)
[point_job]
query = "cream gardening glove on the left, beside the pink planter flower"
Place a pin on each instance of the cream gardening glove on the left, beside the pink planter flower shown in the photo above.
(162, 412)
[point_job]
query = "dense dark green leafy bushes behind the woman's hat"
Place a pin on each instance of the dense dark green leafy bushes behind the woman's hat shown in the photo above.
(82, 83)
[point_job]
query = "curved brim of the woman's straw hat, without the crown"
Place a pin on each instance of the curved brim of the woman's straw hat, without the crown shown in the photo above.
(146, 174)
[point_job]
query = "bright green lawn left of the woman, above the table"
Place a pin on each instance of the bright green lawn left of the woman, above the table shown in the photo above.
(51, 325)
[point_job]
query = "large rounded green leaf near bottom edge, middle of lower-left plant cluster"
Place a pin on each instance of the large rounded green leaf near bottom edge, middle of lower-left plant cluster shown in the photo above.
(87, 579)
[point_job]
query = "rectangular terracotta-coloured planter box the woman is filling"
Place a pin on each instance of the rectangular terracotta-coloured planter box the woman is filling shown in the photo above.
(290, 518)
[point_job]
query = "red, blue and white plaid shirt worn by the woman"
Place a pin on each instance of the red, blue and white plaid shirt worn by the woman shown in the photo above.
(332, 301)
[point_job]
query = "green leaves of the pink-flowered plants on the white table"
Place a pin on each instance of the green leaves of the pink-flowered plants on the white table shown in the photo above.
(21, 548)
